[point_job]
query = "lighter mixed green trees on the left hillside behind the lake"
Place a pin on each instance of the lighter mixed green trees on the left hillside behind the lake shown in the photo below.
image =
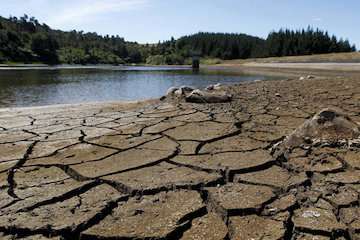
(24, 39)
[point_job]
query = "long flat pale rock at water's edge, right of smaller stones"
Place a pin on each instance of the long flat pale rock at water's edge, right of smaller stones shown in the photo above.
(198, 96)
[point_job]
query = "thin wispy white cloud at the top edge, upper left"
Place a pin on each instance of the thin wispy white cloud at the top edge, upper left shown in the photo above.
(84, 10)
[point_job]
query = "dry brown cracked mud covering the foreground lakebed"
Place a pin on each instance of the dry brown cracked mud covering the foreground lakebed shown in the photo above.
(174, 170)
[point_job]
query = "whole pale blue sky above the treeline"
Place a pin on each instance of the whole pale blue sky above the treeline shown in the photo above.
(154, 20)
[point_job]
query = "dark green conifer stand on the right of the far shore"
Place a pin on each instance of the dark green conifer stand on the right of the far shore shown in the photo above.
(240, 46)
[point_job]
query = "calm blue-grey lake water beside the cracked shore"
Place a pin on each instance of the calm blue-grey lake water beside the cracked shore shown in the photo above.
(40, 86)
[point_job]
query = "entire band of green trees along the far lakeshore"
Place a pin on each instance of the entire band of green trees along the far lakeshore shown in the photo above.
(26, 40)
